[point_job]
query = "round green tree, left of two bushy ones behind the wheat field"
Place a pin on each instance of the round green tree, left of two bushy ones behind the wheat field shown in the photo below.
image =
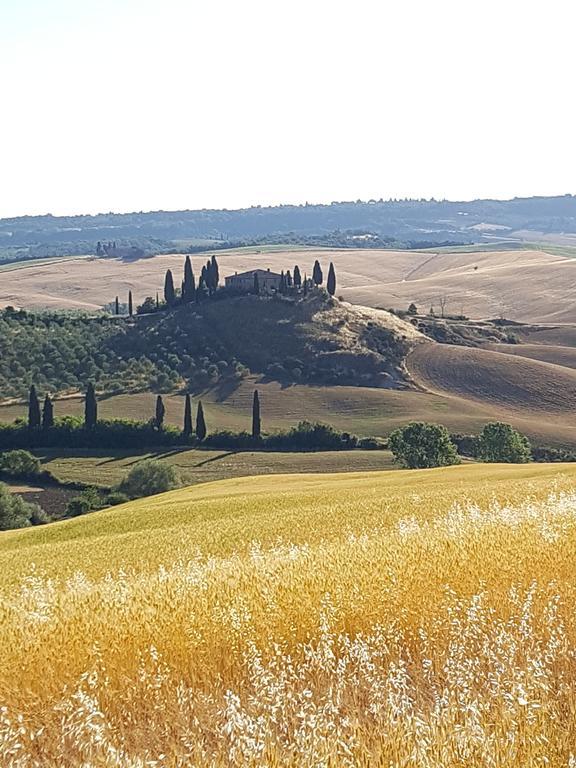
(419, 445)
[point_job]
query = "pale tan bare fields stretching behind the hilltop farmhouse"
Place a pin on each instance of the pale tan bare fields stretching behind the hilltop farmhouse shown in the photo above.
(525, 285)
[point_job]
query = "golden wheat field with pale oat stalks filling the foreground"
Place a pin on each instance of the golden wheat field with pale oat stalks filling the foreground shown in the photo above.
(372, 619)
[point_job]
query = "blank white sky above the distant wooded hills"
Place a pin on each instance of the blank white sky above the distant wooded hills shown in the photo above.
(129, 105)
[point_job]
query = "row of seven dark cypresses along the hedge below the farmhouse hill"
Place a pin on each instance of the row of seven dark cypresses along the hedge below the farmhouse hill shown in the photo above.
(44, 418)
